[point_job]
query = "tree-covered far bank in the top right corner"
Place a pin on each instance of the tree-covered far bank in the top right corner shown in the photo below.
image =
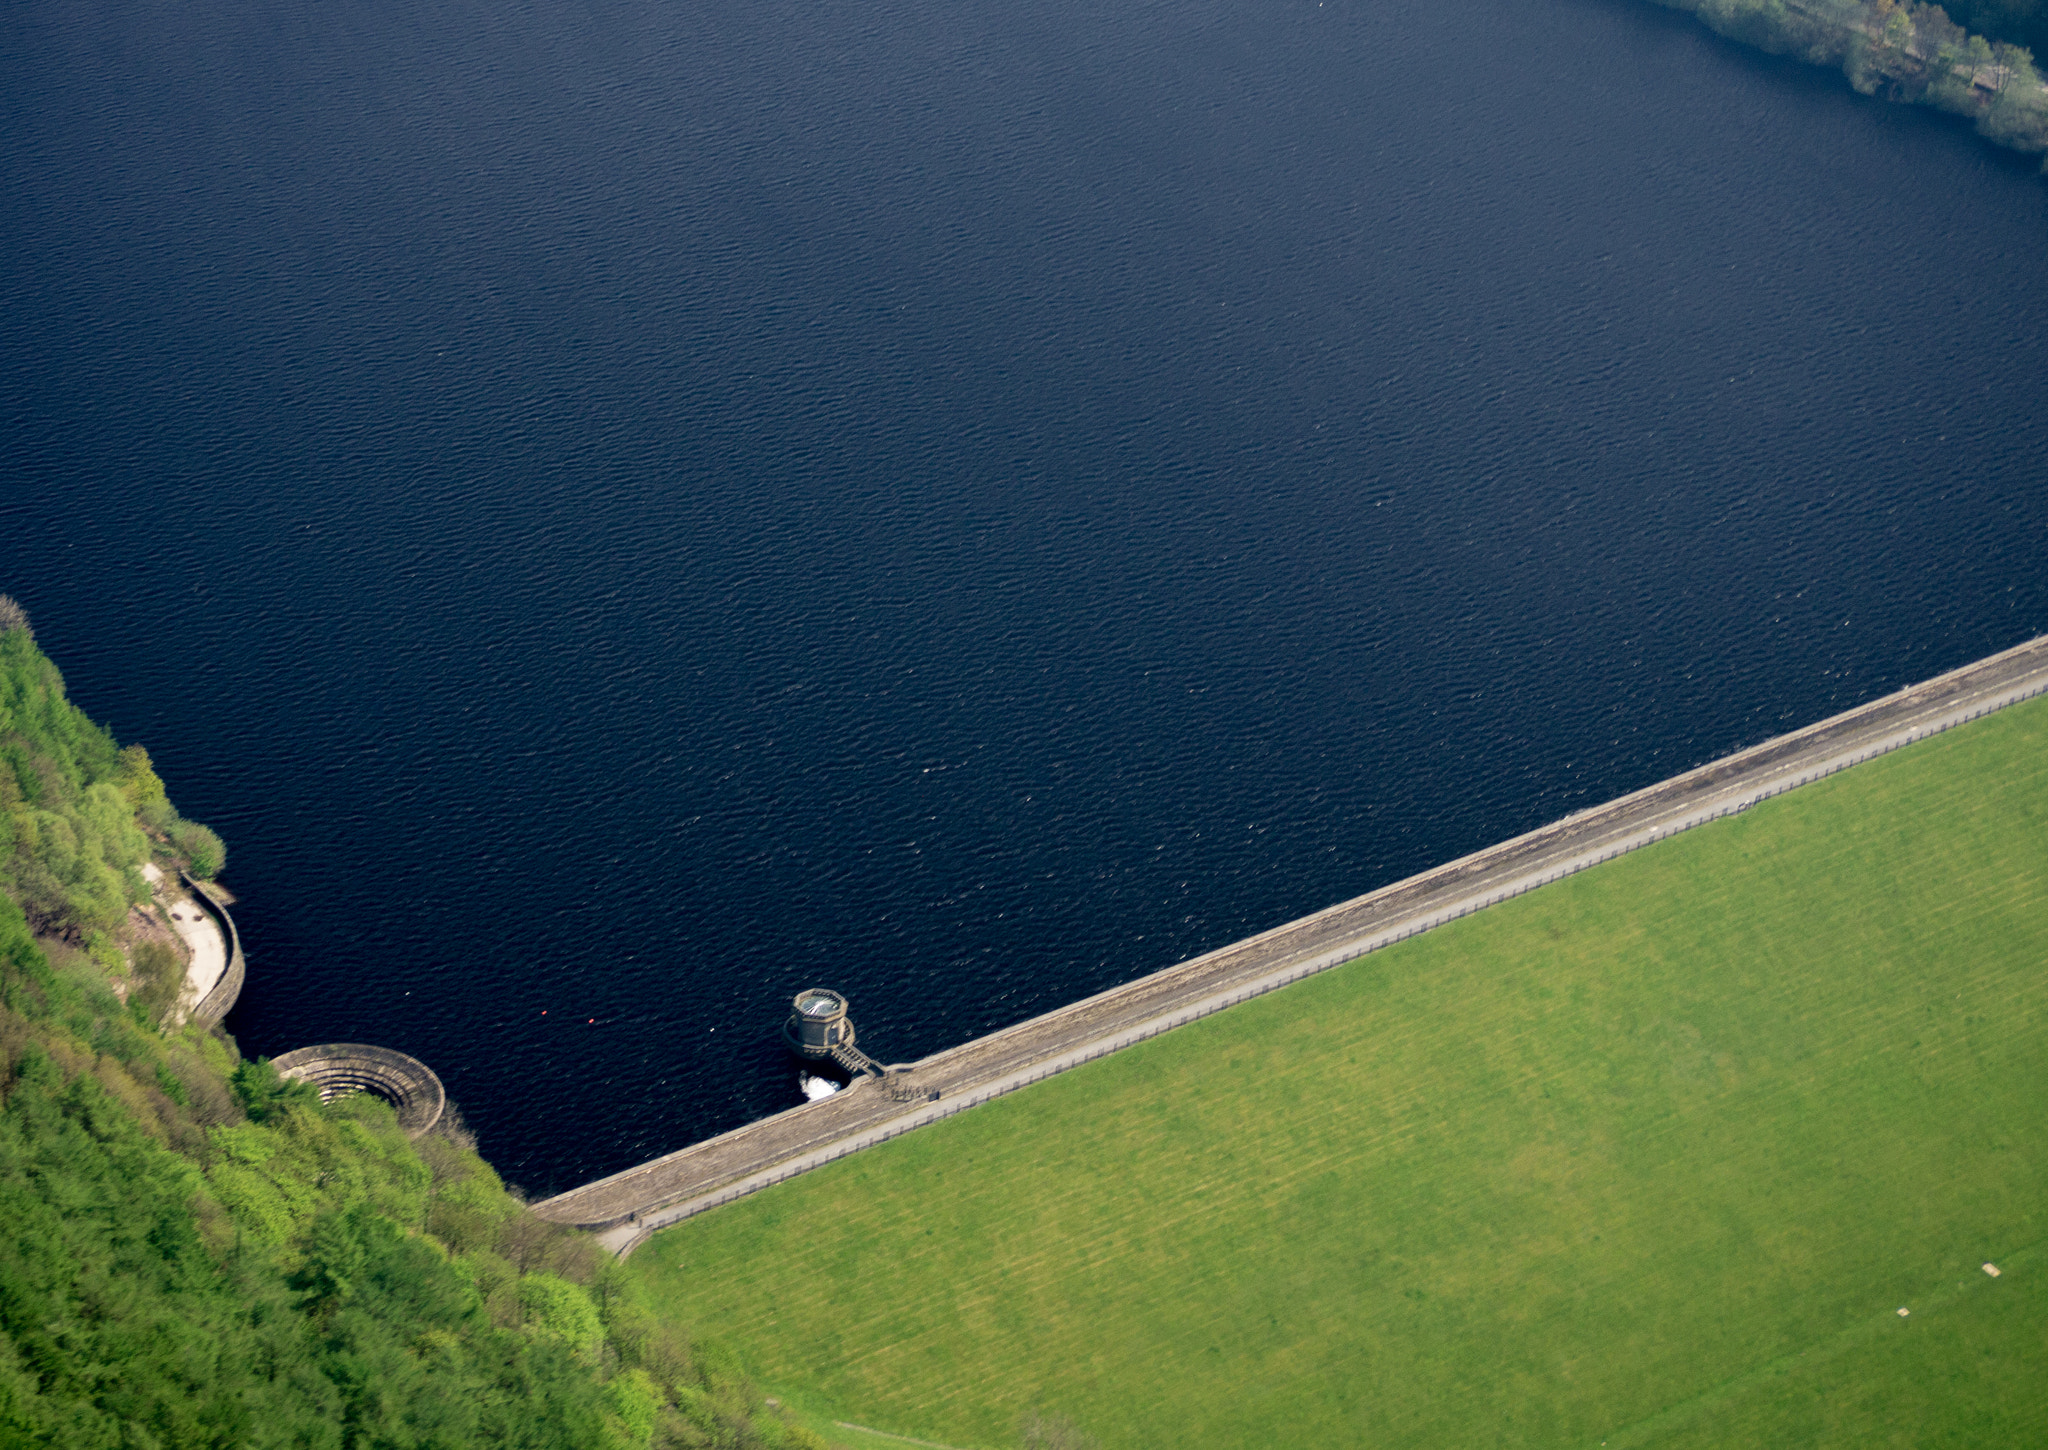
(1908, 52)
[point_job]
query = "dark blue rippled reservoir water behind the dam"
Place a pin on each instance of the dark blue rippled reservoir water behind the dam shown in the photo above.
(622, 511)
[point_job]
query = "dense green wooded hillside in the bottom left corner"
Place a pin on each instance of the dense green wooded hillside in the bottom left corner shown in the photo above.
(200, 1254)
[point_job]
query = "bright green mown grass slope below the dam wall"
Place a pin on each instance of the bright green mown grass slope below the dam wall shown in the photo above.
(1648, 1158)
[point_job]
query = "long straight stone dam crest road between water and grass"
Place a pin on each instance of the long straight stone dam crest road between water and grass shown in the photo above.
(628, 1207)
